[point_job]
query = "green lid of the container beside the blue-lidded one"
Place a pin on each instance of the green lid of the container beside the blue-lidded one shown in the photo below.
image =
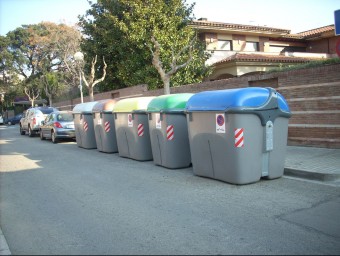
(172, 102)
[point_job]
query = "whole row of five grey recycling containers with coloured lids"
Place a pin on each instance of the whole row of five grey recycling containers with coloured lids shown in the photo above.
(234, 135)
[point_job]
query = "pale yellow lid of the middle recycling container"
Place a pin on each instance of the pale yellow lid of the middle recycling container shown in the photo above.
(132, 104)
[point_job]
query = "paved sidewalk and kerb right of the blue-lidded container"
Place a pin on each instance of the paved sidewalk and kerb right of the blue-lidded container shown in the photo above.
(321, 164)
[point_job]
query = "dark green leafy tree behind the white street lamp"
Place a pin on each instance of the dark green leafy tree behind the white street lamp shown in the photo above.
(126, 63)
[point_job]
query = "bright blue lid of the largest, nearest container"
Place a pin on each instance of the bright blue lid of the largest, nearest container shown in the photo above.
(251, 98)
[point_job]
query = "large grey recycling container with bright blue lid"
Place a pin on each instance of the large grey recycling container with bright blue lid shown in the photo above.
(238, 135)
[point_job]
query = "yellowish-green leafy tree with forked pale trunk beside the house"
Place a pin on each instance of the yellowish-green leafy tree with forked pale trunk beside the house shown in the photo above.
(162, 25)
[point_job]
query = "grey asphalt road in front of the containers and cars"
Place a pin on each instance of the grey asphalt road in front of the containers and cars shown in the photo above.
(62, 199)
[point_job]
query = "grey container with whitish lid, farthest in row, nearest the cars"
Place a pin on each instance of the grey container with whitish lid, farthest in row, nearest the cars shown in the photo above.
(83, 124)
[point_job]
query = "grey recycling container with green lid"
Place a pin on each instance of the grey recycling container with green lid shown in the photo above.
(169, 130)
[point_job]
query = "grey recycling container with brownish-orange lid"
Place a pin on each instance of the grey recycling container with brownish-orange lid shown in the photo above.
(104, 126)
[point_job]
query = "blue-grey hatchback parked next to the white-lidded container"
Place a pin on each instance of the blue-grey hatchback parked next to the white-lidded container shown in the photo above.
(58, 125)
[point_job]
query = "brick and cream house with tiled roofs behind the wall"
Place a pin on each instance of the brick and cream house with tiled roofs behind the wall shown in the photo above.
(239, 50)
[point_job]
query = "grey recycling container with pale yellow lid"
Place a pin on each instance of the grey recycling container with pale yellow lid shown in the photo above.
(132, 128)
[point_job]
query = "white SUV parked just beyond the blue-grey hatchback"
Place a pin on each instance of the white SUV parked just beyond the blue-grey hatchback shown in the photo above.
(32, 118)
